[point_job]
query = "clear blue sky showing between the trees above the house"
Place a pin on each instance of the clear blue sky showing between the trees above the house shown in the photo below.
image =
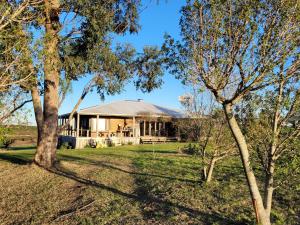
(155, 20)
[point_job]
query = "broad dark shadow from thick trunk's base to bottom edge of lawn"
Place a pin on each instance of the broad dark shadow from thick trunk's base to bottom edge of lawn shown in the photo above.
(144, 198)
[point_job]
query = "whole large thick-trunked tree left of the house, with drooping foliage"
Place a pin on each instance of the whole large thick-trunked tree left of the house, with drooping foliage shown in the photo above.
(66, 40)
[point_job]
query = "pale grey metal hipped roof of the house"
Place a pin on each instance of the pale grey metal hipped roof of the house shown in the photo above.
(131, 108)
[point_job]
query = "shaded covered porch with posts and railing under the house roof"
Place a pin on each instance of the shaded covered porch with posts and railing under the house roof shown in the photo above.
(103, 126)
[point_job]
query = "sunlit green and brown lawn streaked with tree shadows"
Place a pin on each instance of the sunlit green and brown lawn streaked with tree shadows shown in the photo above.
(145, 184)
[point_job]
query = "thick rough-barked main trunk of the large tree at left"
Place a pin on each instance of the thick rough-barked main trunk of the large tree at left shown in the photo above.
(46, 149)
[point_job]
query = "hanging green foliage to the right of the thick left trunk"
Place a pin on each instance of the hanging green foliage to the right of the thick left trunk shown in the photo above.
(91, 52)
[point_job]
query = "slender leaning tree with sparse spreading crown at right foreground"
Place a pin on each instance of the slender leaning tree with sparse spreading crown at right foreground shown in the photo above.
(238, 47)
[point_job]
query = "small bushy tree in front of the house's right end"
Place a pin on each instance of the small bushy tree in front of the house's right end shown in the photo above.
(206, 125)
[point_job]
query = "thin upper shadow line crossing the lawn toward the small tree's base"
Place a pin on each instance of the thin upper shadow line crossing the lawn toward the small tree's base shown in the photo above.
(110, 166)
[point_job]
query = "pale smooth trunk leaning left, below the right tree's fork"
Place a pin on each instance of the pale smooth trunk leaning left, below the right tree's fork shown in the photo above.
(261, 216)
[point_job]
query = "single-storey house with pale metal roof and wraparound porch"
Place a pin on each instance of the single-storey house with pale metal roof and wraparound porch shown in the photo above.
(121, 122)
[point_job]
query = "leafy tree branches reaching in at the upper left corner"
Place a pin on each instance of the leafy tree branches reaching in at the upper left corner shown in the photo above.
(13, 41)
